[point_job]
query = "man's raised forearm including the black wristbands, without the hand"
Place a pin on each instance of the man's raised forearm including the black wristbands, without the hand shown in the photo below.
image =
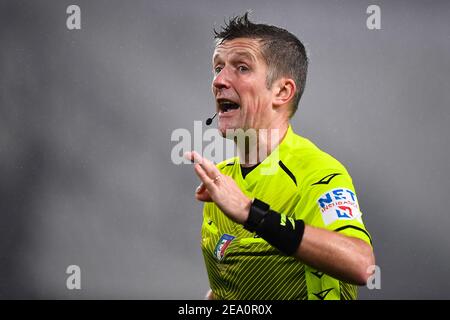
(345, 258)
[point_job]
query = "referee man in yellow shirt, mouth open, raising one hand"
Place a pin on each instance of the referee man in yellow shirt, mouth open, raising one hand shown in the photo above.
(297, 232)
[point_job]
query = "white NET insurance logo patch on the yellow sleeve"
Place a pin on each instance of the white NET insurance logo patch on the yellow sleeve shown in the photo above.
(338, 204)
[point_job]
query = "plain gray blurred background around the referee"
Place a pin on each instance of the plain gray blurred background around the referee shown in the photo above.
(86, 118)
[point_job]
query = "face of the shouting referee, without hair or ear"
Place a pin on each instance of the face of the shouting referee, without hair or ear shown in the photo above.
(243, 100)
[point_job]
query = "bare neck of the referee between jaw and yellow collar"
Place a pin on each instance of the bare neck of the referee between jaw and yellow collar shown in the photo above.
(258, 144)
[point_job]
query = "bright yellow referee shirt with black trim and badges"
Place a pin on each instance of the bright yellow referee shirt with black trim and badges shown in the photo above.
(302, 182)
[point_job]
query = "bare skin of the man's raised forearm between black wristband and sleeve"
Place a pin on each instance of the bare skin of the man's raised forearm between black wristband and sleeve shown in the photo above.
(340, 256)
